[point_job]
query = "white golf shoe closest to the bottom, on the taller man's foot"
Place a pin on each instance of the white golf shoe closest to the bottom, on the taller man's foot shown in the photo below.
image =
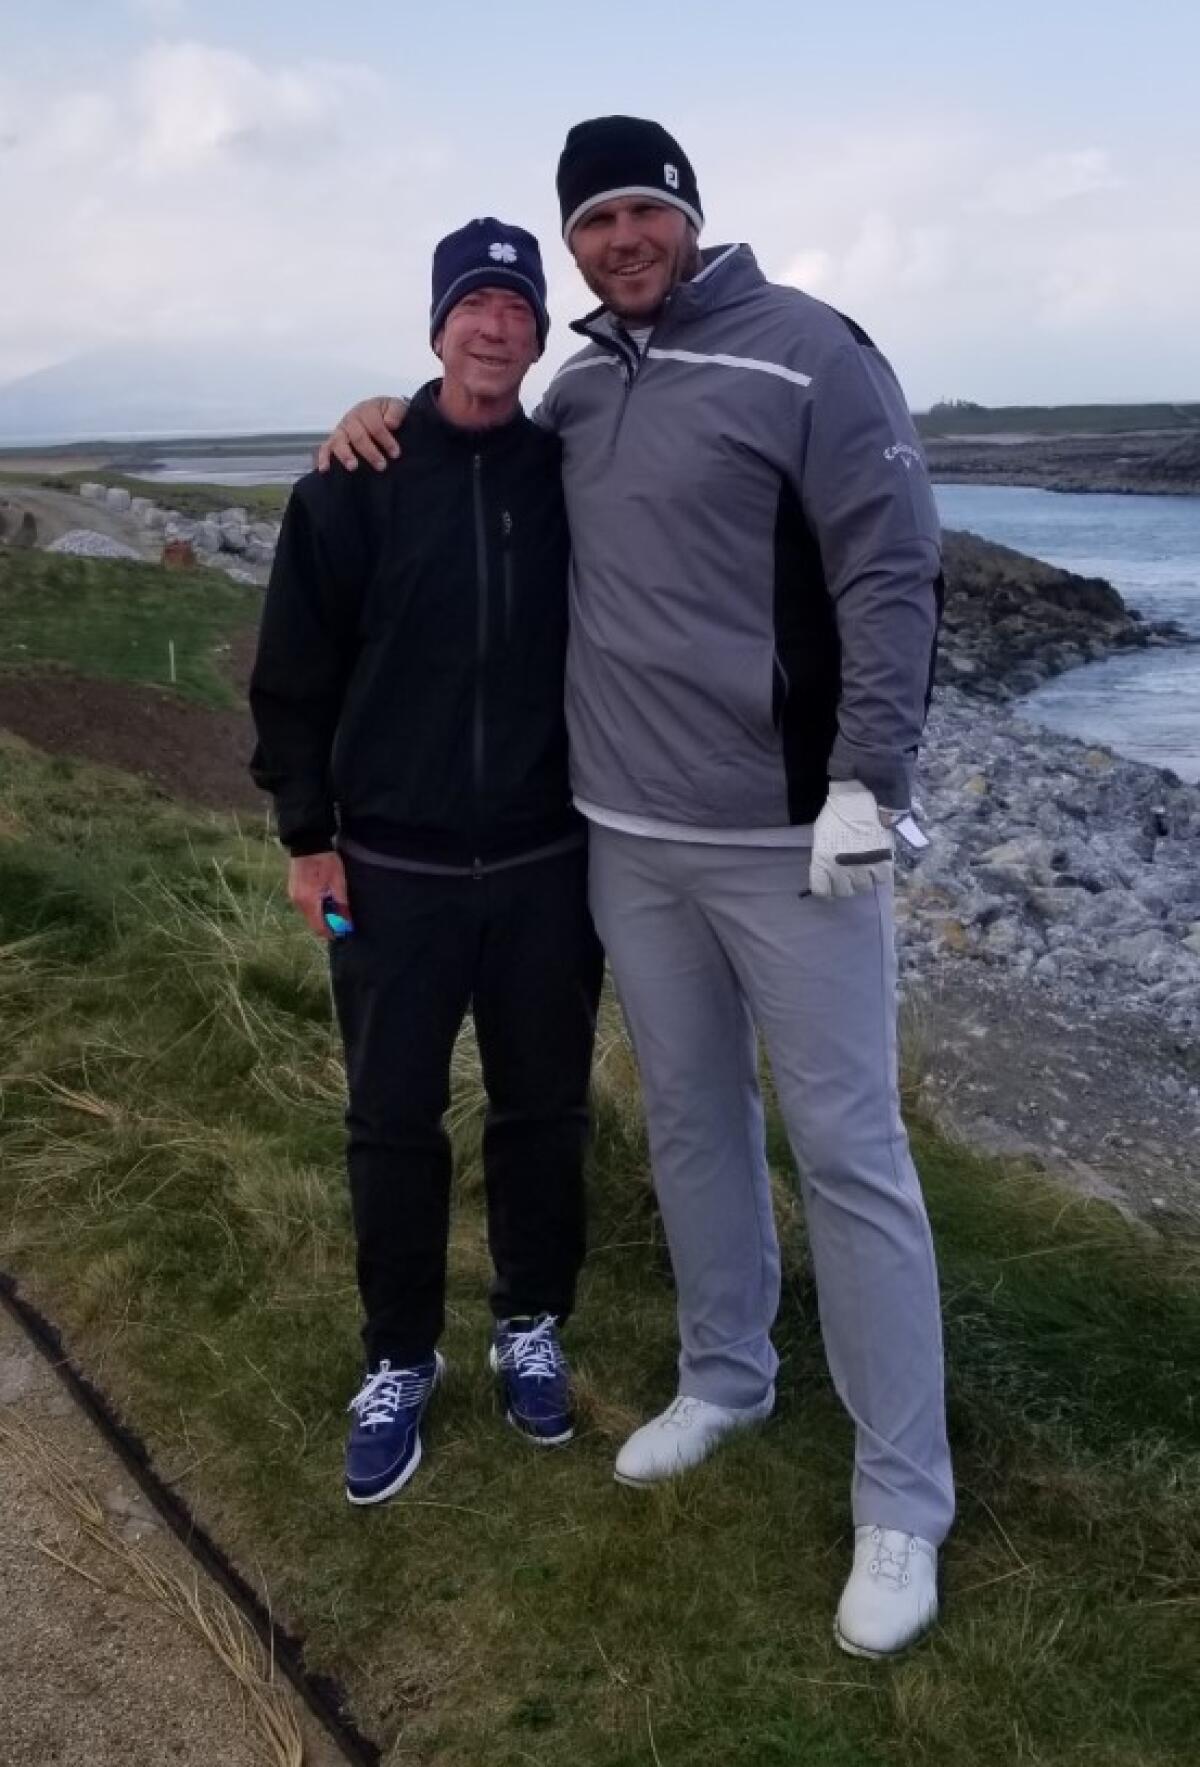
(892, 1596)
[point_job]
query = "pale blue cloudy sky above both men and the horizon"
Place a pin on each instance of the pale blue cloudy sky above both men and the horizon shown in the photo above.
(1006, 197)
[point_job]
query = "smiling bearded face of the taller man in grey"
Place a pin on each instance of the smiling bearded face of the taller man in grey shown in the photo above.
(632, 252)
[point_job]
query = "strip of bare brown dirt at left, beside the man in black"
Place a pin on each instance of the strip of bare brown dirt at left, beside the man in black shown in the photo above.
(186, 750)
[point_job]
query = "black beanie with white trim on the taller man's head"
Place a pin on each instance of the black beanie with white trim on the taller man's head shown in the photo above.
(625, 156)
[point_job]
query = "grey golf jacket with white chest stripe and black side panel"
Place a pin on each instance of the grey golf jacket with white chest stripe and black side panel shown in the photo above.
(756, 559)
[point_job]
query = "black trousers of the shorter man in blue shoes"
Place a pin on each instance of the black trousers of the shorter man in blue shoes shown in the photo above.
(519, 948)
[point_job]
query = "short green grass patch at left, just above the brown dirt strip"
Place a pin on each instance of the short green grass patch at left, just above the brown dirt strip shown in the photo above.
(112, 619)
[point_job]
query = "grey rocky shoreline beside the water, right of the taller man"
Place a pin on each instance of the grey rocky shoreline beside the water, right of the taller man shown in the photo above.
(1051, 936)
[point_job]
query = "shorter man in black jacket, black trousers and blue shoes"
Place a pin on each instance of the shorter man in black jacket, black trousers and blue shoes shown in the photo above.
(409, 709)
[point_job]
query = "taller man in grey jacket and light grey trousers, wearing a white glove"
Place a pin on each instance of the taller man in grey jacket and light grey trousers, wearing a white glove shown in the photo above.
(754, 612)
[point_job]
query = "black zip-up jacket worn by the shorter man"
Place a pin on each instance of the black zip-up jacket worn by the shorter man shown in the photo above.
(407, 692)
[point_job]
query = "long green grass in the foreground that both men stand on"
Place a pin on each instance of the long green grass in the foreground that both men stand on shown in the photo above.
(172, 1194)
